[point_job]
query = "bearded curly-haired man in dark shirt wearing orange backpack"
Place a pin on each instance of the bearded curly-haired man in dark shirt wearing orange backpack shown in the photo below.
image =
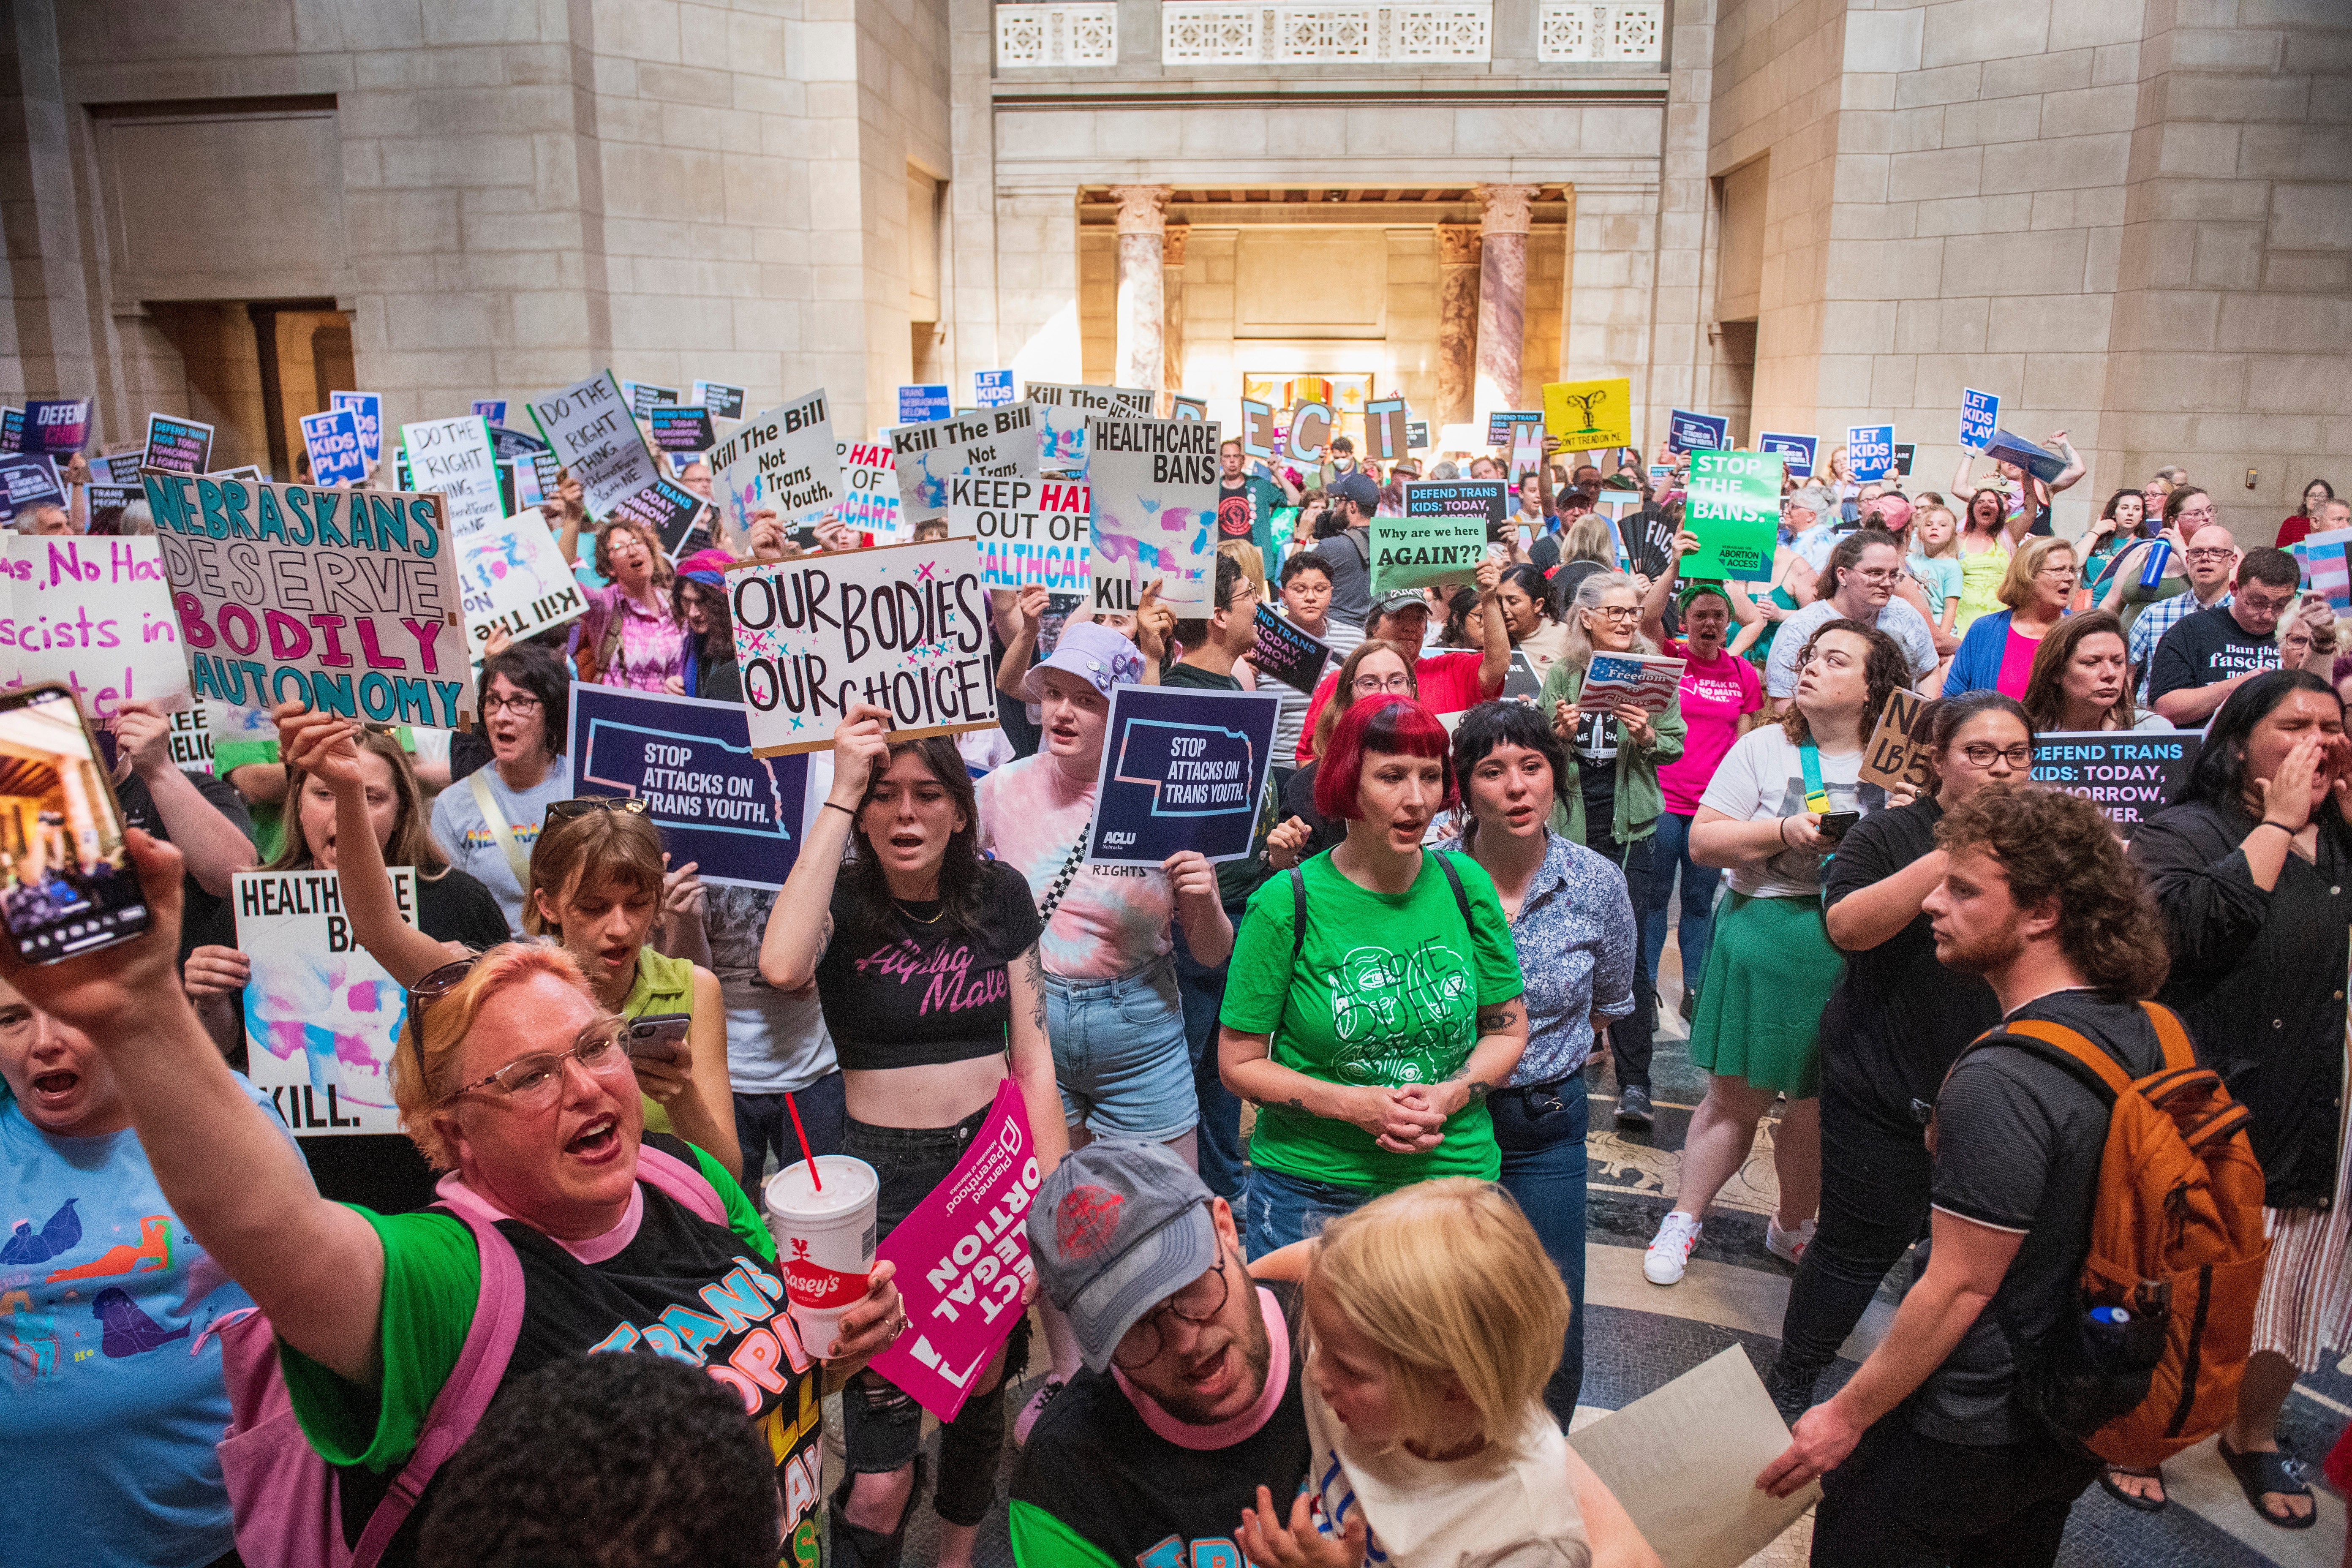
(2097, 1235)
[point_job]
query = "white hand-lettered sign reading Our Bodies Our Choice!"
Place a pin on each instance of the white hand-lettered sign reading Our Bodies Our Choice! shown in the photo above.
(900, 626)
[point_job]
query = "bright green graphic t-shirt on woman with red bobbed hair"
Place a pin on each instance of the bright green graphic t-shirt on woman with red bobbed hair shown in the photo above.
(1387, 991)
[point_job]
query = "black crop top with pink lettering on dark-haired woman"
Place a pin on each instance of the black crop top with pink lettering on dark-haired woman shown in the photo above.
(928, 991)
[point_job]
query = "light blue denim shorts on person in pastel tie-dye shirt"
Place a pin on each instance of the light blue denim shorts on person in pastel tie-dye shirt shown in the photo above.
(1121, 1054)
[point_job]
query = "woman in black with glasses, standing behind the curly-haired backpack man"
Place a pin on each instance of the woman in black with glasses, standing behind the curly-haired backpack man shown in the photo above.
(1890, 1033)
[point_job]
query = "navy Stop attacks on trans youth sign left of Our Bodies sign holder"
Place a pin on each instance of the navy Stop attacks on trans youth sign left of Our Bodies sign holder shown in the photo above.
(690, 763)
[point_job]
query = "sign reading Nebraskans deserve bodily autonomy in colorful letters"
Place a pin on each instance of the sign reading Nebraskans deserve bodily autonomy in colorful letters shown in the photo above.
(274, 584)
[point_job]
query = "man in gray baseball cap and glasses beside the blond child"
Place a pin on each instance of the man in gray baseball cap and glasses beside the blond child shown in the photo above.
(1189, 1400)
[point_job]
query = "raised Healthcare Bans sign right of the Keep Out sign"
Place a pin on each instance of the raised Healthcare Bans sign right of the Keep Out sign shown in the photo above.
(1154, 490)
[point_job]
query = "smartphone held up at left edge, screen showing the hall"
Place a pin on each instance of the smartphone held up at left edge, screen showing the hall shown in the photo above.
(69, 885)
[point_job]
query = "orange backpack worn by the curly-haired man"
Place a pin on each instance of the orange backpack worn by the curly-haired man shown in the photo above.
(2177, 1242)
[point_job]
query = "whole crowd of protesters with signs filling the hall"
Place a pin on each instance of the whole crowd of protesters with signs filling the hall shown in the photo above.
(1142, 1007)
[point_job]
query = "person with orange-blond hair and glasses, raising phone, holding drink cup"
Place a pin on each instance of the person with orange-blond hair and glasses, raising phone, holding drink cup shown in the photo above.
(516, 1083)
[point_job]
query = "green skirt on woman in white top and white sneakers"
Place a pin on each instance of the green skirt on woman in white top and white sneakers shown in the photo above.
(1770, 972)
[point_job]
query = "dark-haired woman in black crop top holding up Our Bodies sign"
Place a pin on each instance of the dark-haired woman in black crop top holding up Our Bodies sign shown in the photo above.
(926, 963)
